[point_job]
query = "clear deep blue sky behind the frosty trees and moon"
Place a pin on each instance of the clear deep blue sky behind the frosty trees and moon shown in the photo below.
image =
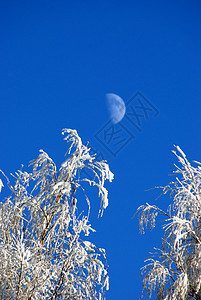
(58, 60)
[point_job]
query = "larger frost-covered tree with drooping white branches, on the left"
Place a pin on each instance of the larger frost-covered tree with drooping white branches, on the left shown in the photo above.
(44, 253)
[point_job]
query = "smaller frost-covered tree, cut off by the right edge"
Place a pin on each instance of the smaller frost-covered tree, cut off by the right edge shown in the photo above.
(174, 271)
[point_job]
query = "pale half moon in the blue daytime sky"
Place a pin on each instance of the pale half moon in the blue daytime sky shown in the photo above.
(116, 107)
